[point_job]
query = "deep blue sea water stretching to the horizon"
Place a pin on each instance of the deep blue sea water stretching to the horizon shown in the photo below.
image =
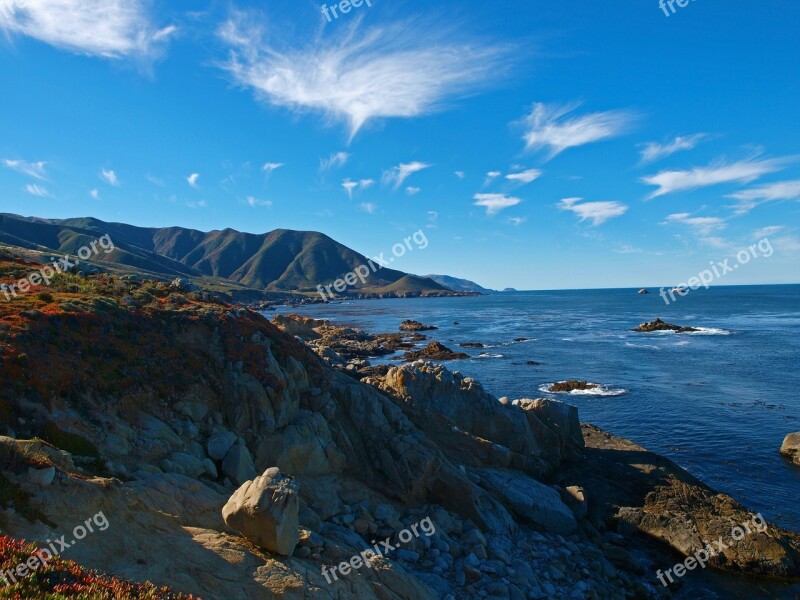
(718, 402)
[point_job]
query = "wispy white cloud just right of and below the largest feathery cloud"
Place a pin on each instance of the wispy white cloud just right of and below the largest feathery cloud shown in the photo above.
(551, 127)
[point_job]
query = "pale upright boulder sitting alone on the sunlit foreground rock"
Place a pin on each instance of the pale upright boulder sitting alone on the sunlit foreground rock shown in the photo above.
(266, 512)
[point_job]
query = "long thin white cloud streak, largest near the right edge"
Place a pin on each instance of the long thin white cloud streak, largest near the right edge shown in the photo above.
(744, 171)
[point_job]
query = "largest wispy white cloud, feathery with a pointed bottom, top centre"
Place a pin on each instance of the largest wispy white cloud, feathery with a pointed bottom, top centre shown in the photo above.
(358, 74)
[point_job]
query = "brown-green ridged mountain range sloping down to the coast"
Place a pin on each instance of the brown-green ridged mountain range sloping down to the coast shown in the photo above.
(280, 261)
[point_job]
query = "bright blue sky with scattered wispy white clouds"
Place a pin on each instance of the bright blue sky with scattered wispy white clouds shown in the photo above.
(538, 145)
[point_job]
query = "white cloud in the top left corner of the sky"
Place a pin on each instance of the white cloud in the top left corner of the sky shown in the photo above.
(107, 28)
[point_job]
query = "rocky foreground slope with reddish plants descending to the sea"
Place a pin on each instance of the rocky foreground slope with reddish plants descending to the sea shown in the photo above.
(156, 404)
